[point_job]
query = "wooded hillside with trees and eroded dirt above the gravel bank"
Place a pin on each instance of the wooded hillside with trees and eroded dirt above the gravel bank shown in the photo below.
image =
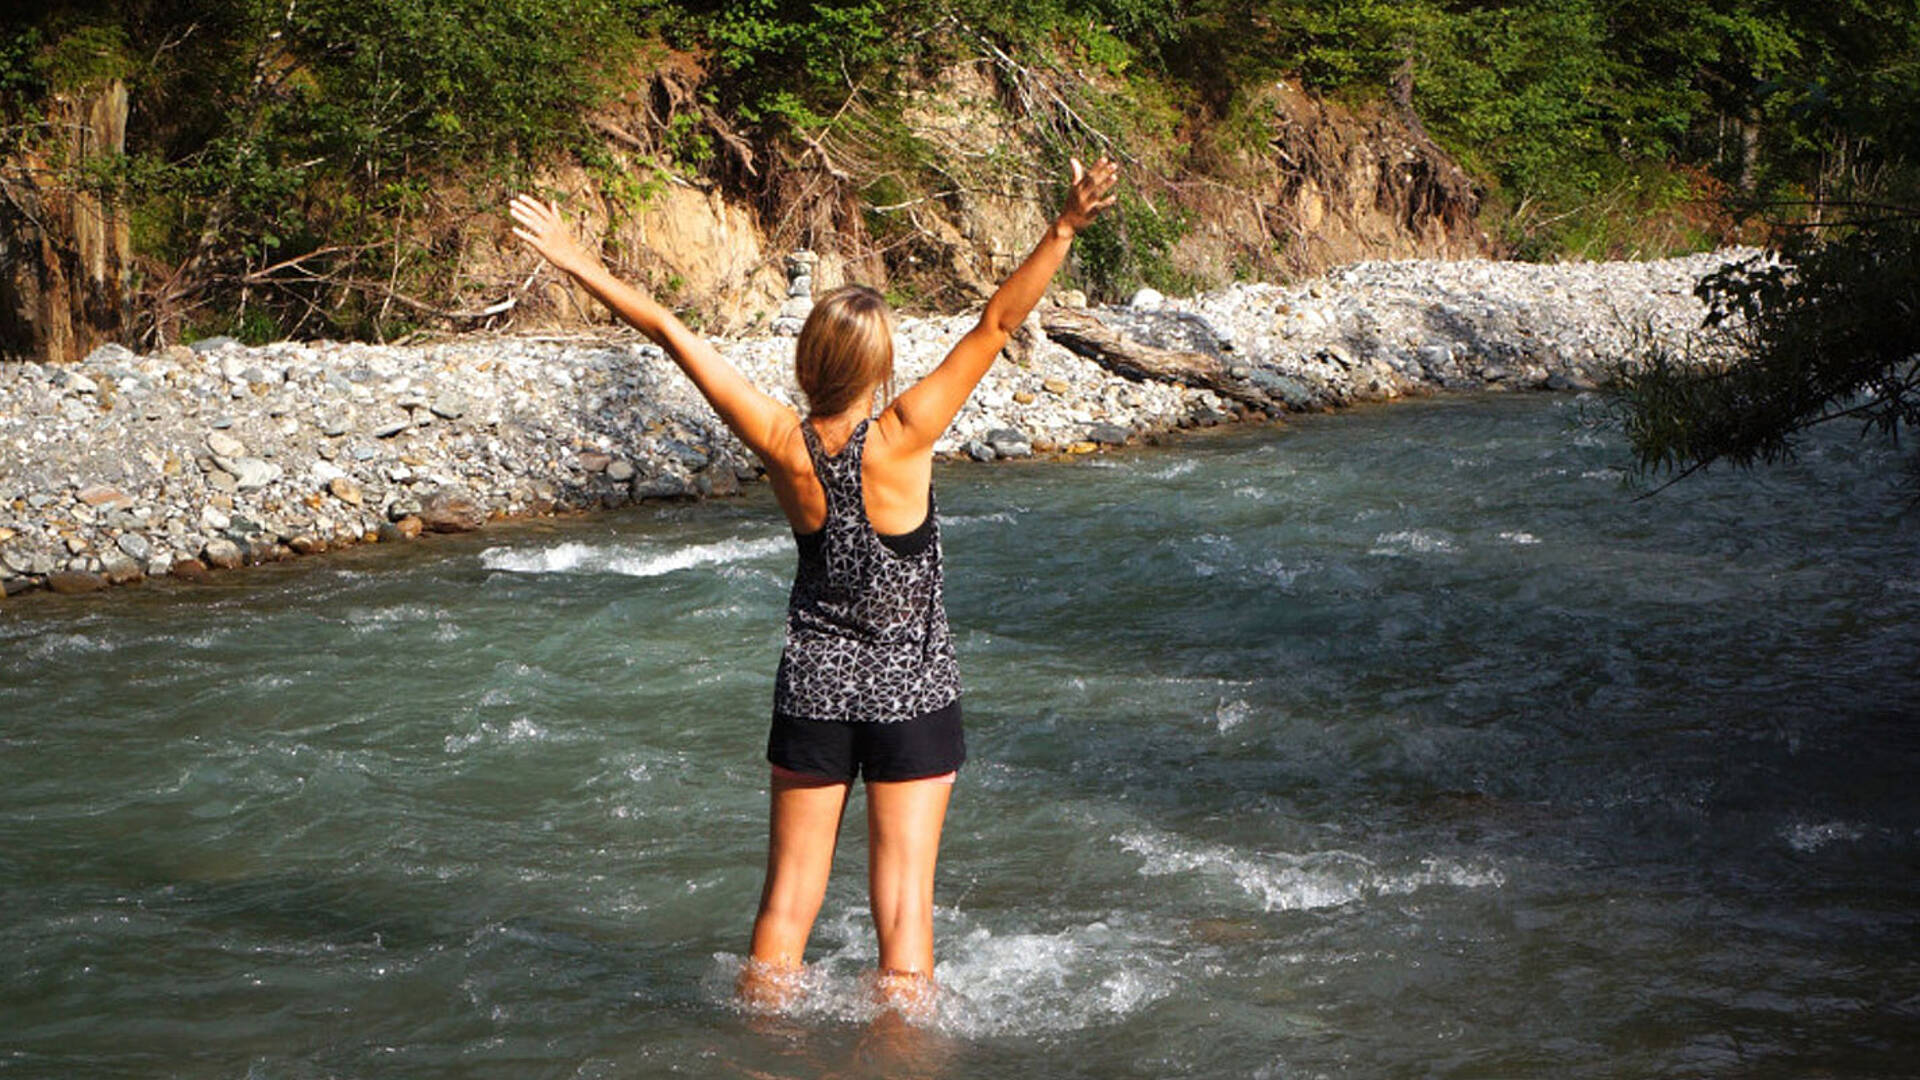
(335, 168)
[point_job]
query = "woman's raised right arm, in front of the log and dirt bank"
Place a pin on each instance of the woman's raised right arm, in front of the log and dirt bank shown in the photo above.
(921, 416)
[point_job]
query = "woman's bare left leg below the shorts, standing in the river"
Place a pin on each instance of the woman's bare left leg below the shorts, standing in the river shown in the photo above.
(804, 829)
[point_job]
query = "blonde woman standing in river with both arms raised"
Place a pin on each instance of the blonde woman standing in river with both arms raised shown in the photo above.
(867, 681)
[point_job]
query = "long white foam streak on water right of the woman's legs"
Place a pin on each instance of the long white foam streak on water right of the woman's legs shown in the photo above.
(1284, 881)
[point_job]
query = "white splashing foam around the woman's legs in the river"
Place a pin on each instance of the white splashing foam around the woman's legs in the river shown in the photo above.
(992, 983)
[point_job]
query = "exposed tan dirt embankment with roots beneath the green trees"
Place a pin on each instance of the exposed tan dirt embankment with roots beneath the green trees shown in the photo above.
(940, 193)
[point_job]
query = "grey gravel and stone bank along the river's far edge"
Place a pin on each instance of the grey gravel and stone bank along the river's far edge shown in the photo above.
(216, 456)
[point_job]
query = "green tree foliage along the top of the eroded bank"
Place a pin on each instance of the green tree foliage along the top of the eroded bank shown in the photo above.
(268, 132)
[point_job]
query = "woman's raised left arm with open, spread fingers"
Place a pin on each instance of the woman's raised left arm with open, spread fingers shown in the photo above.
(756, 418)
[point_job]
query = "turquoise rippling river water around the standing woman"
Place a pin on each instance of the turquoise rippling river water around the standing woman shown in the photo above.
(1397, 743)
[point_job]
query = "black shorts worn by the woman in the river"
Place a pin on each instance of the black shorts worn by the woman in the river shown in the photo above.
(842, 750)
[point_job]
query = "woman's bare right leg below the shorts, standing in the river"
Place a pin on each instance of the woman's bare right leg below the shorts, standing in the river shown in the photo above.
(903, 823)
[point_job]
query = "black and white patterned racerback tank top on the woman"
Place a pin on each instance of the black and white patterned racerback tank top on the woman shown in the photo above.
(867, 624)
